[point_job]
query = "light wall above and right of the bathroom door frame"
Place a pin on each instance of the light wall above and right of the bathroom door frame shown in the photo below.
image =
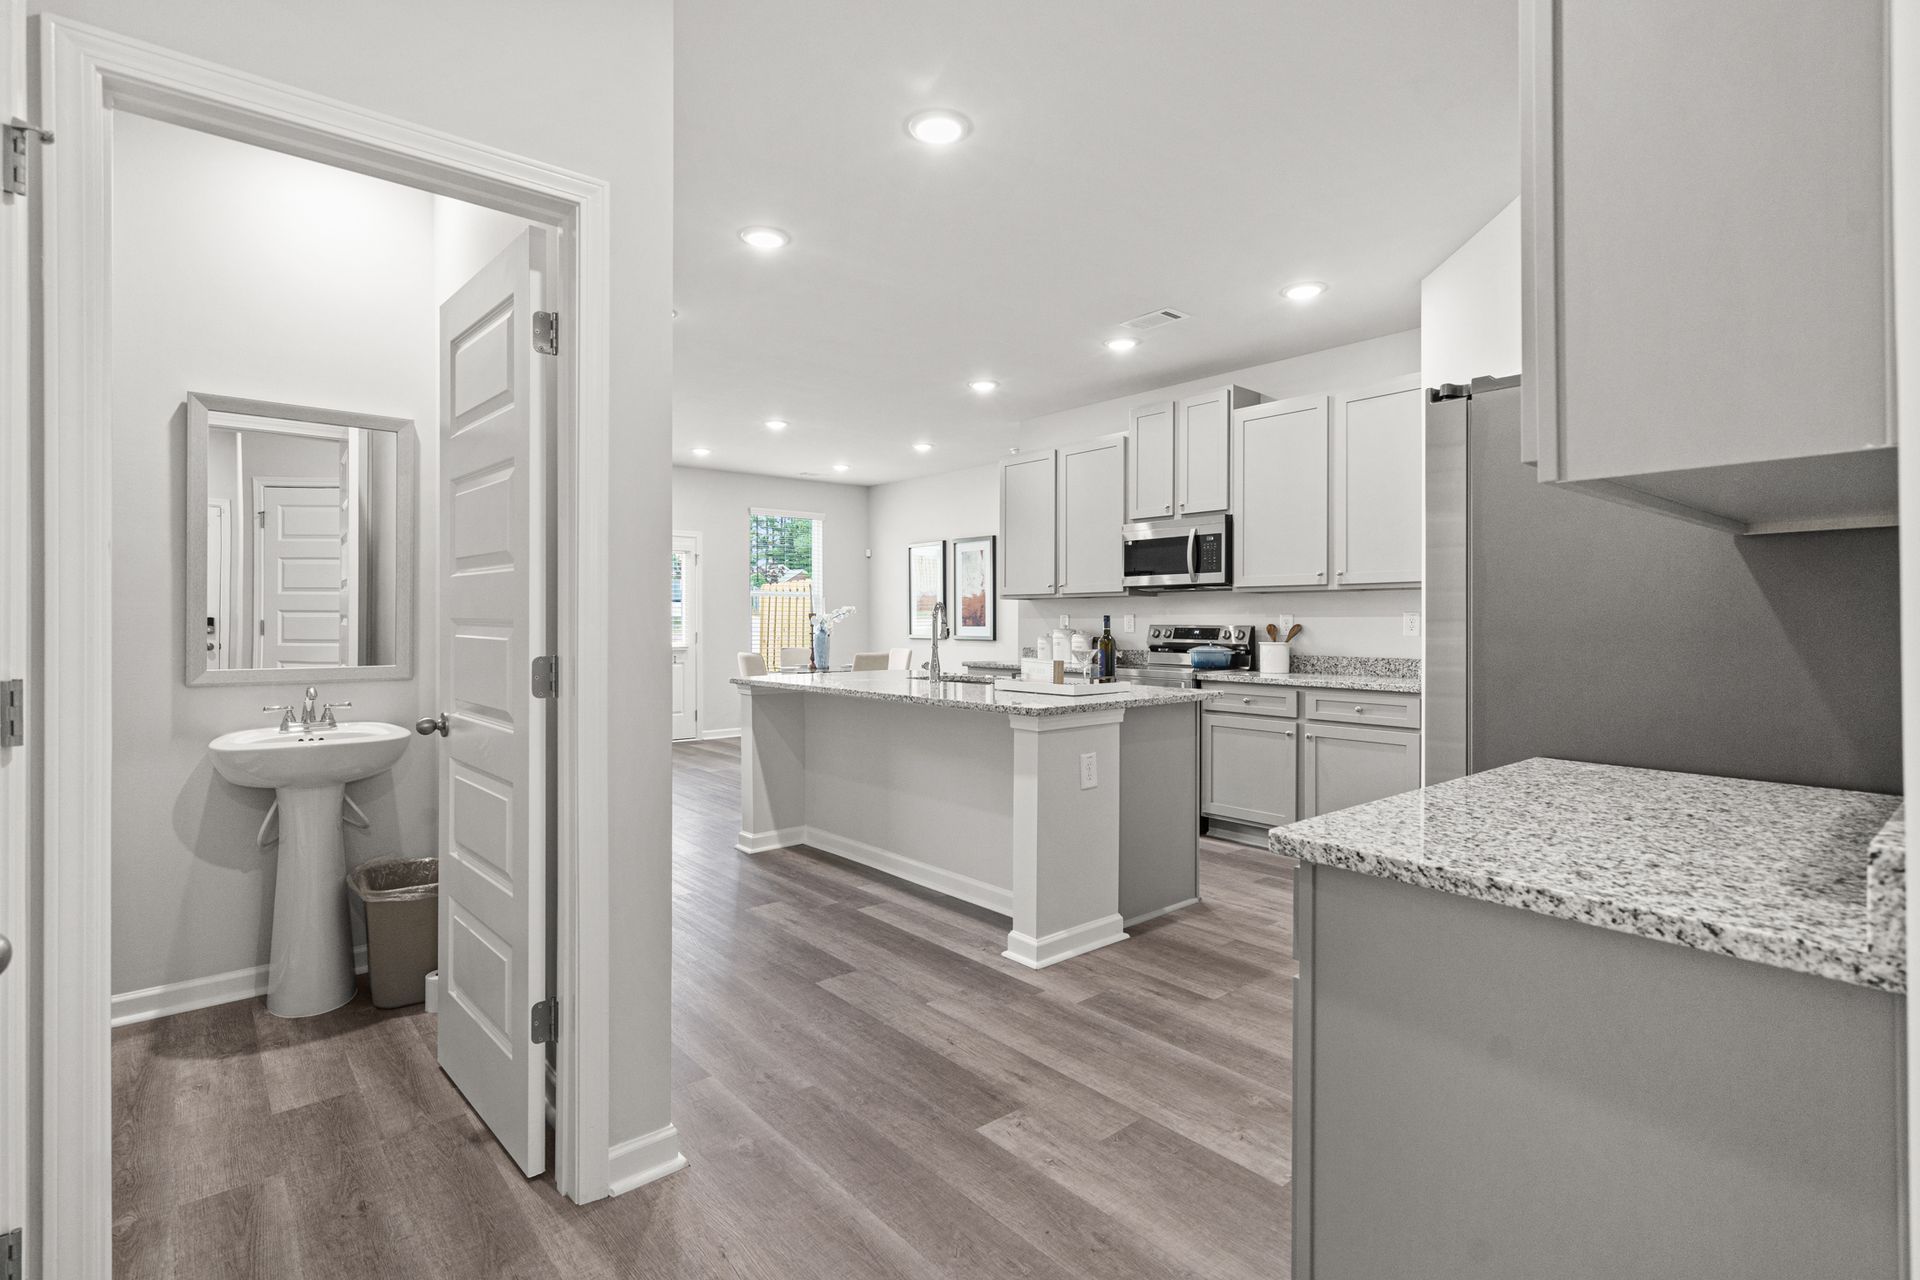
(587, 87)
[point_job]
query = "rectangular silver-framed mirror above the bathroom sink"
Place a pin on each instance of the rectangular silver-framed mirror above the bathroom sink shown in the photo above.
(300, 542)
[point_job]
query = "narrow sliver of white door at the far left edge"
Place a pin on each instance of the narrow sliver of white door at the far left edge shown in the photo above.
(16, 586)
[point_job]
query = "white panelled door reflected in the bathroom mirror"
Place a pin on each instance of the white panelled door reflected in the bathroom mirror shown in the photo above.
(299, 600)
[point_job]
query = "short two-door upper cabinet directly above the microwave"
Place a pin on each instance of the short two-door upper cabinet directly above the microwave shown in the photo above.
(1180, 458)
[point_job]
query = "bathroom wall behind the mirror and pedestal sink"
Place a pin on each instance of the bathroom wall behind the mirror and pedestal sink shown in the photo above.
(239, 272)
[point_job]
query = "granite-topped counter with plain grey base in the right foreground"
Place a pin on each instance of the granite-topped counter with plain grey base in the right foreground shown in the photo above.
(1575, 1020)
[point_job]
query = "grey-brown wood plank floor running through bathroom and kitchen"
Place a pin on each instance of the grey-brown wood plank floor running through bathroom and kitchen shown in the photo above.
(865, 1091)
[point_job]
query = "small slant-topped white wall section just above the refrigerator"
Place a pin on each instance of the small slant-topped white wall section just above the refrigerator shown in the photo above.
(1472, 306)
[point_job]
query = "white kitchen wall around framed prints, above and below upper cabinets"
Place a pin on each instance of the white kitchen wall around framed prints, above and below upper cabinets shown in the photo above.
(965, 504)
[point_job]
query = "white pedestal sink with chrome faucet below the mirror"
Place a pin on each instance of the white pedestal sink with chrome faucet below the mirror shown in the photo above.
(310, 966)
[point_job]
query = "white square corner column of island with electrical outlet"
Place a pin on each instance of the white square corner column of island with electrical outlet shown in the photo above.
(1065, 838)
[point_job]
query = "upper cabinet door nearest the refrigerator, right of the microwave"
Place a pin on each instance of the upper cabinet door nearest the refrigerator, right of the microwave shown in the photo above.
(1380, 452)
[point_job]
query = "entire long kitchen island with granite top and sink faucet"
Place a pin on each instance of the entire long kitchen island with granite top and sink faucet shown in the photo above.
(1072, 817)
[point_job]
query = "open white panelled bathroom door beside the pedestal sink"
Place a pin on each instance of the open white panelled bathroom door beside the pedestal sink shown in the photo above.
(496, 423)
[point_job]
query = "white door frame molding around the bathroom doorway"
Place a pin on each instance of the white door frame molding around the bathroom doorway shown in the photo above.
(85, 78)
